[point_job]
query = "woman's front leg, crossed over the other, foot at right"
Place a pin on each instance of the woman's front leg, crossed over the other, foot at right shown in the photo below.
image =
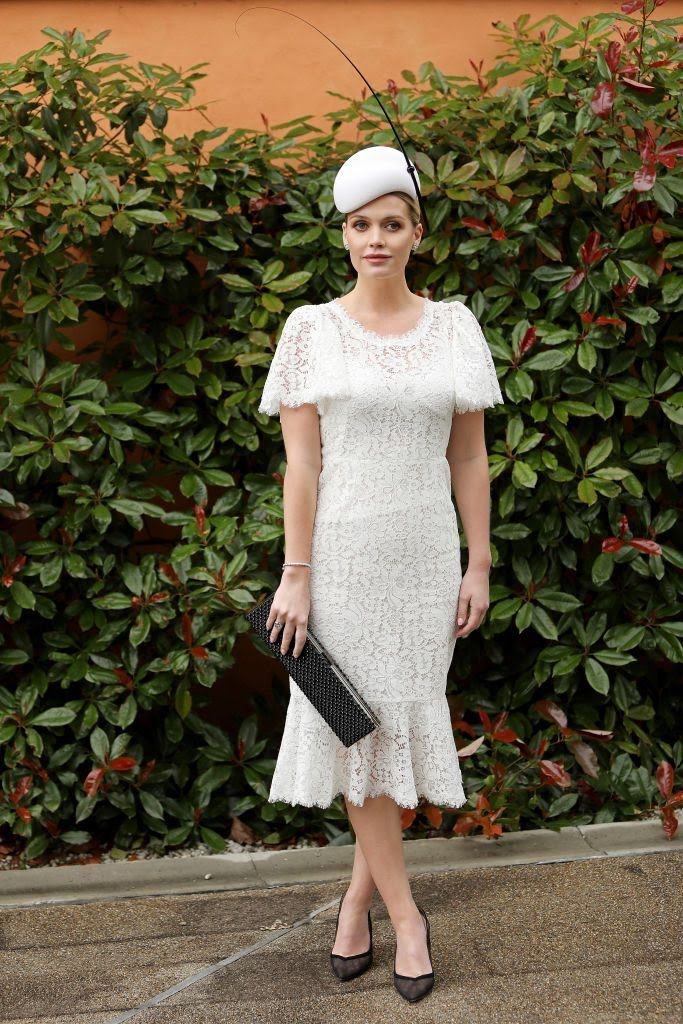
(377, 827)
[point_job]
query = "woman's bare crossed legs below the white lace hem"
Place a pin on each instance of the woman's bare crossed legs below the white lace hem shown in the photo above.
(377, 827)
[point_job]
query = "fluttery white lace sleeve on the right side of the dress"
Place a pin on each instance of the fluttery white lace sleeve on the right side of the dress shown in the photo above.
(477, 382)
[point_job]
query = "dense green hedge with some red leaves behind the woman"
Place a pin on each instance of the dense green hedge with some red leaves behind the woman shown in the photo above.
(142, 490)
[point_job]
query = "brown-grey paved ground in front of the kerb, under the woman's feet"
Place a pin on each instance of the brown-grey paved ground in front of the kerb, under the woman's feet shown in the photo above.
(592, 942)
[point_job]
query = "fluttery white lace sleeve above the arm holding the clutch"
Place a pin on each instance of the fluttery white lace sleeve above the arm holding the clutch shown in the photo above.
(290, 378)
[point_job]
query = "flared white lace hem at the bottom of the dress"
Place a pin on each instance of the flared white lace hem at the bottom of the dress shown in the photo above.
(412, 755)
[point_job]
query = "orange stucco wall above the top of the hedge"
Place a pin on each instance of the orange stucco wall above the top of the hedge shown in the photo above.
(278, 66)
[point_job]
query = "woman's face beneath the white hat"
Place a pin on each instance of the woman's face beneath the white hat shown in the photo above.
(381, 228)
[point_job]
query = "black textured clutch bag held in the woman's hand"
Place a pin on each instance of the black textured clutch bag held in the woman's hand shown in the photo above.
(321, 680)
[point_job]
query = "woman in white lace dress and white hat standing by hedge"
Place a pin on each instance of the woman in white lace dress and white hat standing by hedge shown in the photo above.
(380, 399)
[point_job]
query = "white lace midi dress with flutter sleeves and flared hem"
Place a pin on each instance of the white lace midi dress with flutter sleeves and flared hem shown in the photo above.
(386, 559)
